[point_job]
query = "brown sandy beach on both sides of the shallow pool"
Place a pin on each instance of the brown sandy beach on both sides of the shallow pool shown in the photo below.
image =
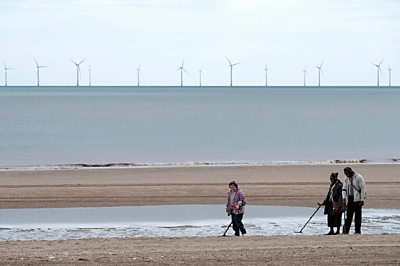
(287, 185)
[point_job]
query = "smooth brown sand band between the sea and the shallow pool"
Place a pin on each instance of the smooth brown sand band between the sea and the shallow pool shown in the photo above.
(289, 185)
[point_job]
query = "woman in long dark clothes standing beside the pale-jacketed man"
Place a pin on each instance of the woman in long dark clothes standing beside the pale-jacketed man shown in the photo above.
(334, 204)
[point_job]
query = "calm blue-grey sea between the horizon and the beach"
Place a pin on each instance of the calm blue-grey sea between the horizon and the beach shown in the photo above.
(69, 125)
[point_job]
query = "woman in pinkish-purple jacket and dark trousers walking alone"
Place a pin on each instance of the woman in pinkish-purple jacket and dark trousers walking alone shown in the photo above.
(235, 207)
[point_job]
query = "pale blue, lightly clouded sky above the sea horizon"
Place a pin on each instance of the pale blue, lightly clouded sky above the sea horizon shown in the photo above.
(116, 36)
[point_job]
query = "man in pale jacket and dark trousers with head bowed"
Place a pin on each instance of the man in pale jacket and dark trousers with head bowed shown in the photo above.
(354, 192)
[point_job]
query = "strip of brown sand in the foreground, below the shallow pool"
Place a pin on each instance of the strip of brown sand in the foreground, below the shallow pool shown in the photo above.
(276, 250)
